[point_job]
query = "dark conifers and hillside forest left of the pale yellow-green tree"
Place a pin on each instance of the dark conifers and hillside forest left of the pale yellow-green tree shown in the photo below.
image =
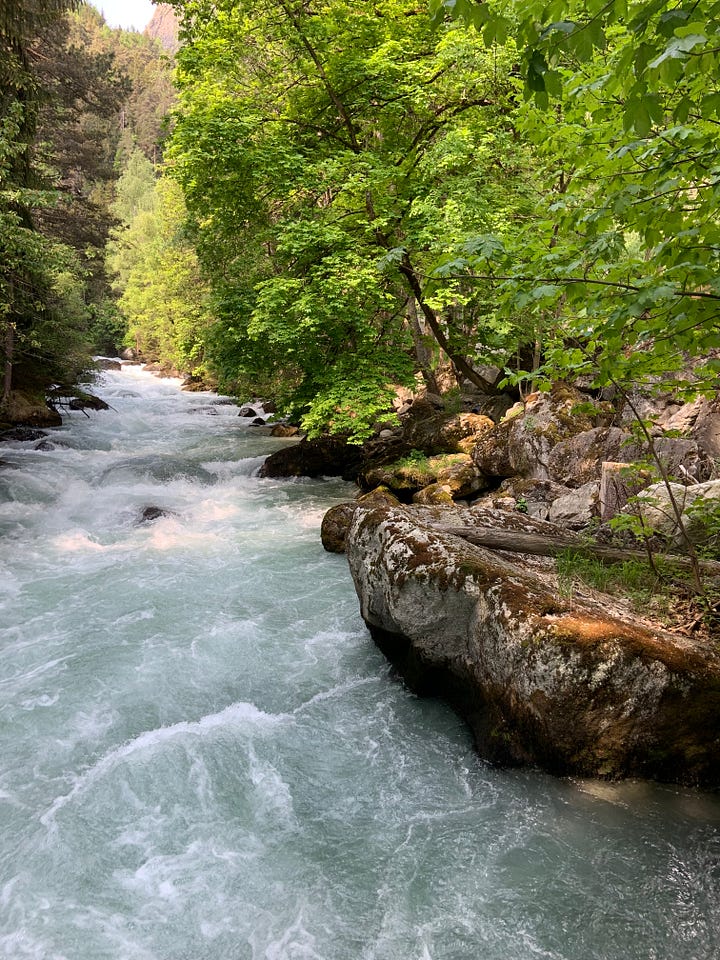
(77, 98)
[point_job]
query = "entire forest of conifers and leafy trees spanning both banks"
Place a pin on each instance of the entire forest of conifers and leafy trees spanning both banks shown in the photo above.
(342, 196)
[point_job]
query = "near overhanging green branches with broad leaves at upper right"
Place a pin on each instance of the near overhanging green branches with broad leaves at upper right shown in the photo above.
(621, 265)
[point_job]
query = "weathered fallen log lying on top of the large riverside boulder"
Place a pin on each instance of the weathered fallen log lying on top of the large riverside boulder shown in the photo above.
(544, 545)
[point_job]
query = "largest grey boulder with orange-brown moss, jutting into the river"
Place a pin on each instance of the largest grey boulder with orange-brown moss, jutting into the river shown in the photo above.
(569, 685)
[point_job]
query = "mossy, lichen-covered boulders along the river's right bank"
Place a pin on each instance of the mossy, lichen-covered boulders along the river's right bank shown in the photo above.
(579, 685)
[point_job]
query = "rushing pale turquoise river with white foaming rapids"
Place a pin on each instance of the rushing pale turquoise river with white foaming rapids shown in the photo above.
(204, 757)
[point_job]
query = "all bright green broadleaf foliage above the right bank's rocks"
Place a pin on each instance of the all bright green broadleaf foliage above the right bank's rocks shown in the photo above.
(374, 189)
